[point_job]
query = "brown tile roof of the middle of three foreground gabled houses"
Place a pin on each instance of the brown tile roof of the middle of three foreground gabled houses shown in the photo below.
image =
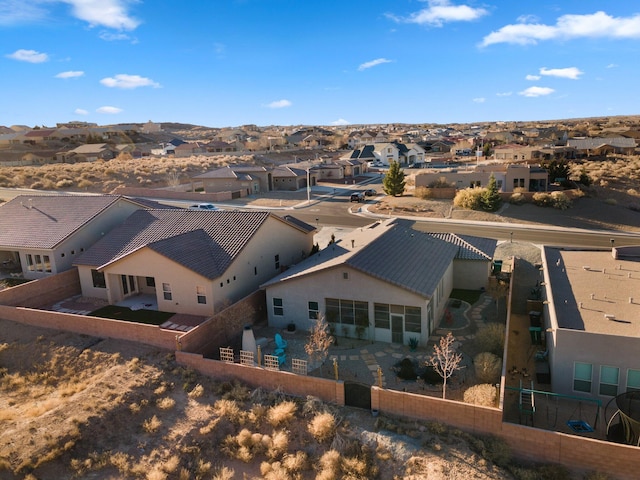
(204, 242)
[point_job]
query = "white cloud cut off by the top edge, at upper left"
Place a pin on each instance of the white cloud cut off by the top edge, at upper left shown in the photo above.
(107, 13)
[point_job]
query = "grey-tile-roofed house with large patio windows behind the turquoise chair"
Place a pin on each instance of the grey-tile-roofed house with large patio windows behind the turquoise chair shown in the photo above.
(386, 282)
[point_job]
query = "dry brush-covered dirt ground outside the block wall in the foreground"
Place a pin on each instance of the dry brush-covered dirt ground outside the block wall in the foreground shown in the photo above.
(74, 406)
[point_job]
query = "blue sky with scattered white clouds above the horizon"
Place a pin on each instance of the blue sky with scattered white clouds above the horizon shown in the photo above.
(276, 62)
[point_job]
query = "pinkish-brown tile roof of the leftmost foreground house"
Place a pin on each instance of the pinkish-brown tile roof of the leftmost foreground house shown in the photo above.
(43, 221)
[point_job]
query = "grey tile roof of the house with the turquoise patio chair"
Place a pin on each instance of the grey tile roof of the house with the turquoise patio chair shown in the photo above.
(396, 252)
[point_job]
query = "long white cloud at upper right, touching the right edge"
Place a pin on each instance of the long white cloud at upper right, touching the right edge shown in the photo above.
(567, 27)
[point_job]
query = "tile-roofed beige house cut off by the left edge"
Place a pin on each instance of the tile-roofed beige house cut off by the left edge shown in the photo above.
(42, 235)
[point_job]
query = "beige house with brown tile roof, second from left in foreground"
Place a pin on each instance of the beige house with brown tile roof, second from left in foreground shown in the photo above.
(193, 262)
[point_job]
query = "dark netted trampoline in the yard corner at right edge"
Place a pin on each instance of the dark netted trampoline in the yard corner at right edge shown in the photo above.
(624, 424)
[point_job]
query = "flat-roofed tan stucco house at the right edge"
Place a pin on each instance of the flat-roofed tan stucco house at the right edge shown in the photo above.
(591, 320)
